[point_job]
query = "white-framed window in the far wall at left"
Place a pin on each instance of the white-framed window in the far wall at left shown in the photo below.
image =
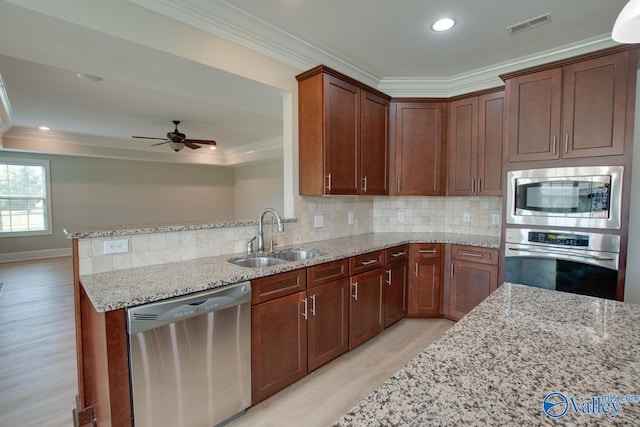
(25, 197)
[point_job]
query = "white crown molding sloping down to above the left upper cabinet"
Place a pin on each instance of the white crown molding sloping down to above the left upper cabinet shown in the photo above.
(231, 23)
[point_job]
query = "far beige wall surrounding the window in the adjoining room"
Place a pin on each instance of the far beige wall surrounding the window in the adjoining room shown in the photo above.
(91, 192)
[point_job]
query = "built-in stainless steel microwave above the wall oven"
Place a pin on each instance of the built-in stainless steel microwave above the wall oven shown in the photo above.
(585, 197)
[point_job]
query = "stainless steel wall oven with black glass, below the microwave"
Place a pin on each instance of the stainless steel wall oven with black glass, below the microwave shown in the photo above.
(570, 261)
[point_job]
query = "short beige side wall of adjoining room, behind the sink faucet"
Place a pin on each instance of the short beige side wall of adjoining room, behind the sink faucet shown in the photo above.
(259, 186)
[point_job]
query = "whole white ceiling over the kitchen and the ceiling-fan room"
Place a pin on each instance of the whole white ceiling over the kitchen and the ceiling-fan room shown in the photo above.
(387, 44)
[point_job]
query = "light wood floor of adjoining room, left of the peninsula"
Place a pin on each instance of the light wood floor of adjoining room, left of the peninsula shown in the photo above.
(38, 380)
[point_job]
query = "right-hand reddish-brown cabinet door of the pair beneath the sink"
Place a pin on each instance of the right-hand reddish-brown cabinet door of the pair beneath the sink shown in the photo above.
(328, 322)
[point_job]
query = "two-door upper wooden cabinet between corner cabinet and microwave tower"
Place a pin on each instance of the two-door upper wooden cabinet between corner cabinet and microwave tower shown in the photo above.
(475, 145)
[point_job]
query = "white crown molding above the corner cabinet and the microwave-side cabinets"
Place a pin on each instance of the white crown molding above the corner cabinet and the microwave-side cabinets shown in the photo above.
(487, 77)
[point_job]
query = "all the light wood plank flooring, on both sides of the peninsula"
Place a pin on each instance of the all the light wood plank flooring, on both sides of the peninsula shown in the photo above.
(38, 363)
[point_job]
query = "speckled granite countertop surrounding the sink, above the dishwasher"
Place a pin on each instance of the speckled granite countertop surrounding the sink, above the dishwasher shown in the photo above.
(135, 286)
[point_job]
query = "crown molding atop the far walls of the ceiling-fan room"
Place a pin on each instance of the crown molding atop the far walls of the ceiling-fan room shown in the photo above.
(64, 143)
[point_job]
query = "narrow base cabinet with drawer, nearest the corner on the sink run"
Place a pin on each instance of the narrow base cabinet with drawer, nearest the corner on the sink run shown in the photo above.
(394, 289)
